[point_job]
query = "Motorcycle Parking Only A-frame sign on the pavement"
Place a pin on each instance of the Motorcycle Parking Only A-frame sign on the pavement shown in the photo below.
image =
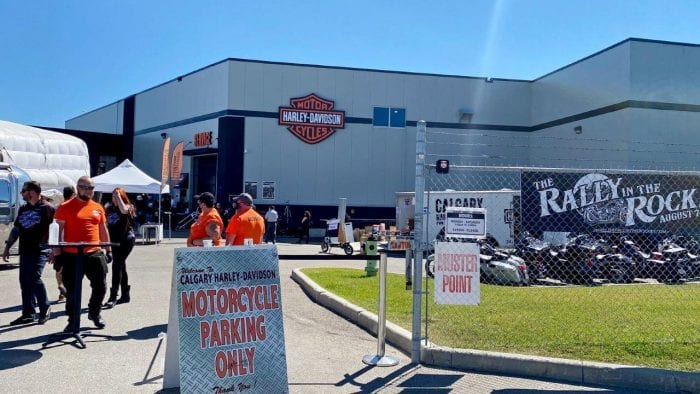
(231, 334)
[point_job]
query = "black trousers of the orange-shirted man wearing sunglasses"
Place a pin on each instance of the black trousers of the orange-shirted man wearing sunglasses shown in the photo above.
(95, 268)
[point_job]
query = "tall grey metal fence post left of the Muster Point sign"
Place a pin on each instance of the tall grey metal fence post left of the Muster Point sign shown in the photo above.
(418, 228)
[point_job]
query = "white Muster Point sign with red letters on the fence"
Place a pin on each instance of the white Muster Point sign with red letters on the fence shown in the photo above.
(457, 273)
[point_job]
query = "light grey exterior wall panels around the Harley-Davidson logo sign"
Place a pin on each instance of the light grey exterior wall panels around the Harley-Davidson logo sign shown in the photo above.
(368, 164)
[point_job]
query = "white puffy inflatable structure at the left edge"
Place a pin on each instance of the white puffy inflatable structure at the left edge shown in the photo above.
(53, 159)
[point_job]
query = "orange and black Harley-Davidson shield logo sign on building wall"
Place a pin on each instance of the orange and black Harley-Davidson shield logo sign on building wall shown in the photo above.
(311, 118)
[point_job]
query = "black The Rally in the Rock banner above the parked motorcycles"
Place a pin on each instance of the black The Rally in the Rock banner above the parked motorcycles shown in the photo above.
(609, 202)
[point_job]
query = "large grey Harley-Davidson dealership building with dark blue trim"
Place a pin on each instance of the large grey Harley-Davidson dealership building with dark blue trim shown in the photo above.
(302, 136)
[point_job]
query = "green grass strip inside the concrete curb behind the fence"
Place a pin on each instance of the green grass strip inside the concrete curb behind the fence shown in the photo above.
(646, 325)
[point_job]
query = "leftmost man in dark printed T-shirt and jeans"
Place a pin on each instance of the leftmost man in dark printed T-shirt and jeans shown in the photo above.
(32, 229)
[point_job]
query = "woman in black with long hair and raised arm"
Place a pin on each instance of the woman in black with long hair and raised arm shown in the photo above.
(120, 214)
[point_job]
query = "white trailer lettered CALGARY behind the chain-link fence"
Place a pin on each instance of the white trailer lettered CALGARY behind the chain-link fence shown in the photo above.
(499, 205)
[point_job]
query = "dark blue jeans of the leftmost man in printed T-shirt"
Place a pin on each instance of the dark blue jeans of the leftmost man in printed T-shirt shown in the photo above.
(33, 289)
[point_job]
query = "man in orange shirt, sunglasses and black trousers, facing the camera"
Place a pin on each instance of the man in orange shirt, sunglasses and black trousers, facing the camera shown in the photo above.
(83, 220)
